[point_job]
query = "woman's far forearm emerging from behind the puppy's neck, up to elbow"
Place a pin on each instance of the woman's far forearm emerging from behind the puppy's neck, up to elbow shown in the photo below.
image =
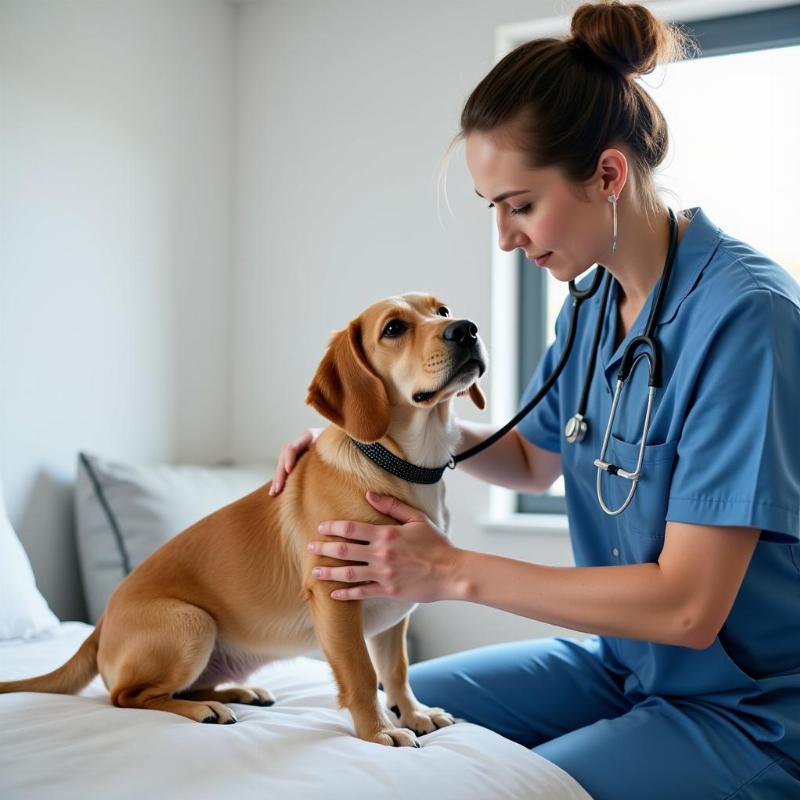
(502, 464)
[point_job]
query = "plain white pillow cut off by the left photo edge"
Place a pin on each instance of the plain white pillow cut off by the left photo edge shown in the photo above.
(24, 613)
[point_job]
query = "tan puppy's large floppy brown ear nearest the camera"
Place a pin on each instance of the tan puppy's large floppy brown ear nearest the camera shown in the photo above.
(346, 391)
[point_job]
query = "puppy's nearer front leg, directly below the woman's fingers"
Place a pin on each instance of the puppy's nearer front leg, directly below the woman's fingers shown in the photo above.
(340, 630)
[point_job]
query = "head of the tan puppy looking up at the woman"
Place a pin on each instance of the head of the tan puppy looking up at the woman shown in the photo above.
(402, 351)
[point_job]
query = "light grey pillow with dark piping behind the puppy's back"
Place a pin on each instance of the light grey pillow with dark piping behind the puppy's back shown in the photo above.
(123, 512)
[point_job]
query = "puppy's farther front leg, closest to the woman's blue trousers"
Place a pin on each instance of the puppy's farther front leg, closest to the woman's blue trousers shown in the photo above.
(389, 654)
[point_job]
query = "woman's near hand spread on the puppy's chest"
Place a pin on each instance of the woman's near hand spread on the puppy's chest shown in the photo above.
(411, 561)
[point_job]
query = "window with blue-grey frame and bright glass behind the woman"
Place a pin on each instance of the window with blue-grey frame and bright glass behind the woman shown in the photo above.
(743, 170)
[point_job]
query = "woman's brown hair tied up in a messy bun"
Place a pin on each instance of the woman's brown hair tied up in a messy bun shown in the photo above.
(563, 101)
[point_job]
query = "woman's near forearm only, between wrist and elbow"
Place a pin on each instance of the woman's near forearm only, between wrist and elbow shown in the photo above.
(634, 601)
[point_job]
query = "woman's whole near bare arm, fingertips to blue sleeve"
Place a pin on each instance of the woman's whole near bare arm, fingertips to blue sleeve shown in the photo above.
(683, 599)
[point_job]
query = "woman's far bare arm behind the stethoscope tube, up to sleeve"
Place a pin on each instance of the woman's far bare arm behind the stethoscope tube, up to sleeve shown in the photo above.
(512, 461)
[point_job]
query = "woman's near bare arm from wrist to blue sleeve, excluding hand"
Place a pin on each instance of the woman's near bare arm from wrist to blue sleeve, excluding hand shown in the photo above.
(683, 599)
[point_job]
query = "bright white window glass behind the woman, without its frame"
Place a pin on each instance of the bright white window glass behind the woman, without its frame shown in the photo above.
(734, 125)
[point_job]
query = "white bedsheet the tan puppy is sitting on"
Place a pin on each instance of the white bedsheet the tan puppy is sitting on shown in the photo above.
(59, 747)
